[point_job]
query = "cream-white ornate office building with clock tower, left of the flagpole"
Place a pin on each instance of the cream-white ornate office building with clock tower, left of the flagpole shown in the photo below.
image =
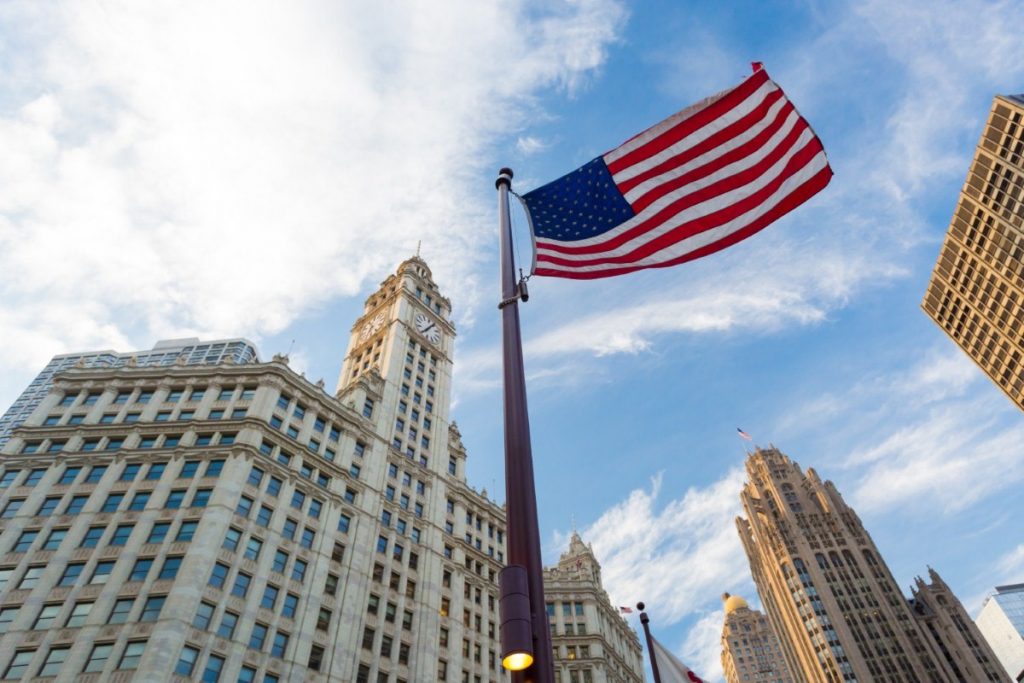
(237, 523)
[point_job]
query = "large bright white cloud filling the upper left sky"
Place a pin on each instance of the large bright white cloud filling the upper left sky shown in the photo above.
(220, 168)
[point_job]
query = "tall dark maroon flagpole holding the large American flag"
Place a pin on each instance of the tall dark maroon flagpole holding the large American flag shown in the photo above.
(524, 574)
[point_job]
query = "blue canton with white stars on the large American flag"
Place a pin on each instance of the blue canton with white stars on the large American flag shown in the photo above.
(579, 205)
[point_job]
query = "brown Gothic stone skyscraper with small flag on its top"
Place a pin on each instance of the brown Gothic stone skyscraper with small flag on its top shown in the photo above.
(833, 603)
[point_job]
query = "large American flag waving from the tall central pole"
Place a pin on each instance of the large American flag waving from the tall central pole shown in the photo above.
(701, 181)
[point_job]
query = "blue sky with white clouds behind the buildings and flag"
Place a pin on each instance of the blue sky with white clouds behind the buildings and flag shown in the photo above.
(255, 169)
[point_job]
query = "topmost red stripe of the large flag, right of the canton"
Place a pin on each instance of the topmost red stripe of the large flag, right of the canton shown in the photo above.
(676, 127)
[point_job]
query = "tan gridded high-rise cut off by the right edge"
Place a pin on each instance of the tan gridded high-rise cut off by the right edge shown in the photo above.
(976, 293)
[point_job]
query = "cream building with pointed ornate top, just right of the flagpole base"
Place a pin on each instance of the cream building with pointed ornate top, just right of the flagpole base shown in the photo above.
(592, 643)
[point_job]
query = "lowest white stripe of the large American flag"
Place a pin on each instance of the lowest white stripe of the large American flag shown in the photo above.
(697, 242)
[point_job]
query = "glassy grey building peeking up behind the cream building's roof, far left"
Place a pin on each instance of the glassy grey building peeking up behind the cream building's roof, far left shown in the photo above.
(166, 353)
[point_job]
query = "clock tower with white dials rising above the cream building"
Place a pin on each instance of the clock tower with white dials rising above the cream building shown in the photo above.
(400, 358)
